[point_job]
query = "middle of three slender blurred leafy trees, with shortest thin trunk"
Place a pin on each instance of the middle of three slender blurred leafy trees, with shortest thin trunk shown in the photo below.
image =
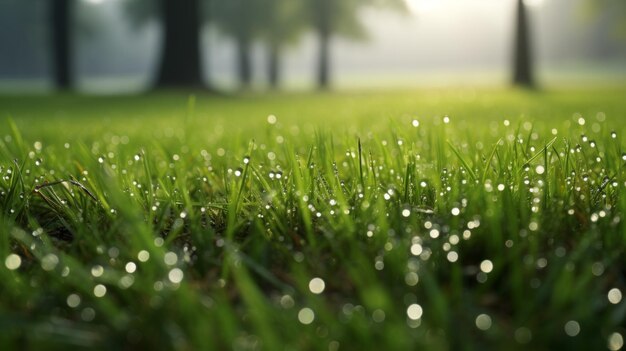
(282, 25)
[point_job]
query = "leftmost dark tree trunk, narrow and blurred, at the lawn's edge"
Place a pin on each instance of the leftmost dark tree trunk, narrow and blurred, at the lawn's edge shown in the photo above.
(61, 20)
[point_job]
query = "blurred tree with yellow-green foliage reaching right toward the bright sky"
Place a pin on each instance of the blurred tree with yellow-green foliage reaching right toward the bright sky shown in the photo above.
(338, 17)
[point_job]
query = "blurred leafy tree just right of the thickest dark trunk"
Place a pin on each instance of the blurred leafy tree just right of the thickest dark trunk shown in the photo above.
(243, 20)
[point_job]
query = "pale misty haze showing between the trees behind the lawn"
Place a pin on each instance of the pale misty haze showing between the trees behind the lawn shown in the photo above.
(434, 42)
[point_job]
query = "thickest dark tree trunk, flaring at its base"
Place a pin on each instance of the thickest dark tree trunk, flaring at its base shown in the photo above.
(180, 61)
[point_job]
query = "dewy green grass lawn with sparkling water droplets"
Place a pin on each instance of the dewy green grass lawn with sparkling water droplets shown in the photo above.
(460, 220)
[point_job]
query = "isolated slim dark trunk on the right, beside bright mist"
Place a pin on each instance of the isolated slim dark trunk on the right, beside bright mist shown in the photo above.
(522, 64)
